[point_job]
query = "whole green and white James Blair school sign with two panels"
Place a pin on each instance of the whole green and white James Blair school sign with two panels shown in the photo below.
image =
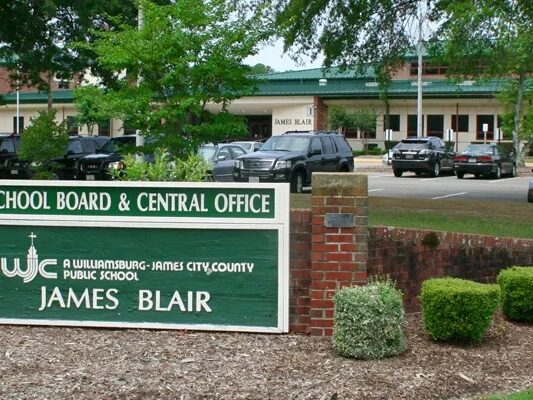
(150, 255)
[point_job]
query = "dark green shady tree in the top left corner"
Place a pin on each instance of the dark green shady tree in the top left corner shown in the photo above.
(36, 37)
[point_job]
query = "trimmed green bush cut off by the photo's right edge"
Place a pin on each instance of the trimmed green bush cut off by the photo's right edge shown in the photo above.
(516, 284)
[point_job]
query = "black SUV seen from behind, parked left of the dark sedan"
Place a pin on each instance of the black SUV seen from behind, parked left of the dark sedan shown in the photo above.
(427, 154)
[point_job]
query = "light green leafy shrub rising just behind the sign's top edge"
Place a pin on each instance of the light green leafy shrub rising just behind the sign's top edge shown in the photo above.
(192, 168)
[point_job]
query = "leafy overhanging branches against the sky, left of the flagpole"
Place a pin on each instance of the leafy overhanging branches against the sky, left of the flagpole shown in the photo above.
(349, 33)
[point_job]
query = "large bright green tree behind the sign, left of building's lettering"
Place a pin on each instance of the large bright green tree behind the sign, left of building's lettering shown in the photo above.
(186, 55)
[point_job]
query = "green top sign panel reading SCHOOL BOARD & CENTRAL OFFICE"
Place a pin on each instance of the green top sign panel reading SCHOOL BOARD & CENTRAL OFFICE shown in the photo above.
(142, 201)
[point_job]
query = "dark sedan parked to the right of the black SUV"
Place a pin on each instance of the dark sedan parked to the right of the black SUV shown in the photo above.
(486, 160)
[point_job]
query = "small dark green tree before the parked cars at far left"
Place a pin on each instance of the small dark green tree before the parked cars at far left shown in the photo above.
(44, 139)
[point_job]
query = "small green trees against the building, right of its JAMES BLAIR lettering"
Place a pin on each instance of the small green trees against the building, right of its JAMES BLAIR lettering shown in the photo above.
(340, 119)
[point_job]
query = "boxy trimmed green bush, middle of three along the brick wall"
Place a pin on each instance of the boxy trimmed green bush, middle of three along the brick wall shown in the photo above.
(458, 310)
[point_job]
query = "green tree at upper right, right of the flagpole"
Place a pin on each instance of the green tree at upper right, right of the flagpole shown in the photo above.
(493, 38)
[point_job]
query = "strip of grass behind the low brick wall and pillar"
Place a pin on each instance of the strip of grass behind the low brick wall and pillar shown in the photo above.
(481, 217)
